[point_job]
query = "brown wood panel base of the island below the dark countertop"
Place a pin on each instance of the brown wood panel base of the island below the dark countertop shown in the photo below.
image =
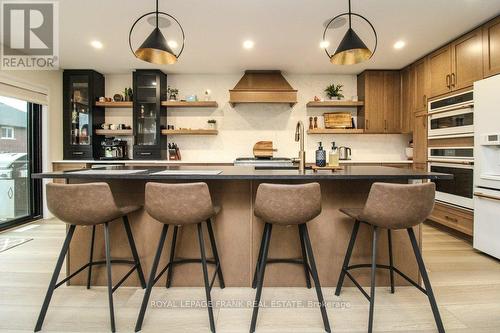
(238, 235)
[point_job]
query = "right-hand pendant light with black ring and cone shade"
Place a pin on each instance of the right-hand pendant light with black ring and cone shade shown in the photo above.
(351, 50)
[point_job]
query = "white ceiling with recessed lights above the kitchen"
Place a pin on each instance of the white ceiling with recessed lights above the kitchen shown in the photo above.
(286, 33)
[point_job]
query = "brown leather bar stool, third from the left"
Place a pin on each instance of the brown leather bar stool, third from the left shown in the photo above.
(287, 205)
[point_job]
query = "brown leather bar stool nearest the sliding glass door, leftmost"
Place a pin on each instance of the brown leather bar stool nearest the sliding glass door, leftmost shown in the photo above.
(89, 205)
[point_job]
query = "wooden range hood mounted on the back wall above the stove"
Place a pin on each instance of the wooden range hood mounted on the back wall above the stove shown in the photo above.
(263, 86)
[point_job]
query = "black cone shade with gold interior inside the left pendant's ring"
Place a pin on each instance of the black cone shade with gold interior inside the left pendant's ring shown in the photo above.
(155, 50)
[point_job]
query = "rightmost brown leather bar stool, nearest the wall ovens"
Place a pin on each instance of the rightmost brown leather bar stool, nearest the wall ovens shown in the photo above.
(392, 207)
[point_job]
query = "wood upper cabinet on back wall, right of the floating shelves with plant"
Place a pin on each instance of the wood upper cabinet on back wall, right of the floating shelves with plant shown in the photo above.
(380, 91)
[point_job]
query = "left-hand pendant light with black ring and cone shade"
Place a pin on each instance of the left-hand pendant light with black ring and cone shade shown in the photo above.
(155, 48)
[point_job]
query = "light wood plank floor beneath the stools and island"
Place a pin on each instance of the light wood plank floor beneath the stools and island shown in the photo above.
(466, 284)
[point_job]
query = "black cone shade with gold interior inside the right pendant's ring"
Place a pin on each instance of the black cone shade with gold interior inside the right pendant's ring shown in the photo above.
(351, 50)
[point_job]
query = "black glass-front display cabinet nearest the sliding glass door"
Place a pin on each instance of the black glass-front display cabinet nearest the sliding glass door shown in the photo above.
(81, 89)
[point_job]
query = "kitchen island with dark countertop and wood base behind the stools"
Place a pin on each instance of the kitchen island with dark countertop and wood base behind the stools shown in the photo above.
(238, 231)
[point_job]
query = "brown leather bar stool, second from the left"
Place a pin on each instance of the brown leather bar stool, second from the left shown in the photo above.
(178, 205)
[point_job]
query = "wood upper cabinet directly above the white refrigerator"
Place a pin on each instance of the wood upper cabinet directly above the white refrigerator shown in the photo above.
(491, 47)
